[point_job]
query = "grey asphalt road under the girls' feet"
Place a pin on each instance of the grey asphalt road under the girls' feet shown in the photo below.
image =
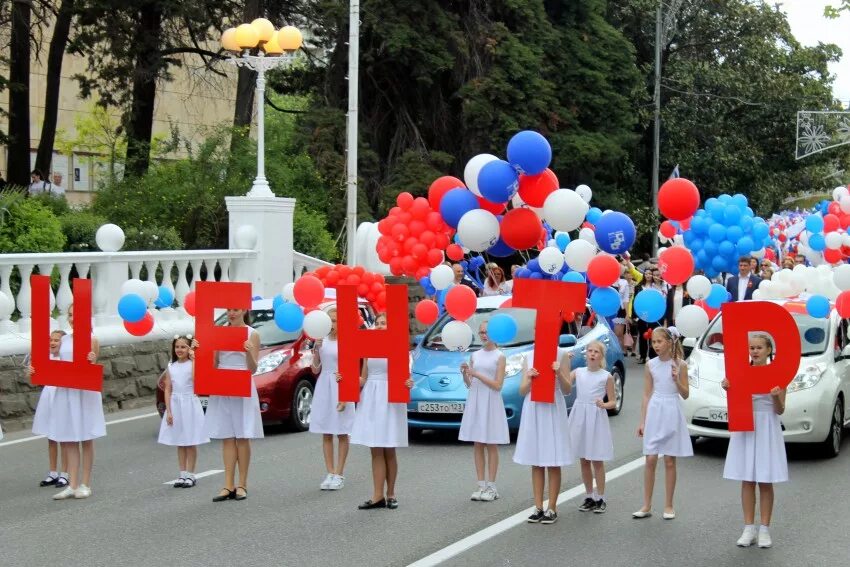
(134, 519)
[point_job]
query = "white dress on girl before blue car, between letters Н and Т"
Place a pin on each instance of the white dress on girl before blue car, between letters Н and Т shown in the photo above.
(484, 418)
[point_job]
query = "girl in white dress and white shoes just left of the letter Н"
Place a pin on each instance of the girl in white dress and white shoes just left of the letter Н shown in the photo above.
(327, 415)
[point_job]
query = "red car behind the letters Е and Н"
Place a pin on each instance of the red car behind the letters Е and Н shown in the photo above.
(284, 379)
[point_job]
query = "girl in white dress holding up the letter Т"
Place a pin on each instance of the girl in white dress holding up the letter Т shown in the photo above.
(543, 441)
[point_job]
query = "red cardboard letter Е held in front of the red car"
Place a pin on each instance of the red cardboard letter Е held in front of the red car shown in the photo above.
(210, 380)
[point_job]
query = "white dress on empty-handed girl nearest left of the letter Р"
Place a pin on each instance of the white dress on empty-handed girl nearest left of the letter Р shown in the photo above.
(665, 431)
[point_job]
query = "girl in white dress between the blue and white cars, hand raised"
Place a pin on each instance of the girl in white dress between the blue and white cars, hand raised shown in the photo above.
(662, 423)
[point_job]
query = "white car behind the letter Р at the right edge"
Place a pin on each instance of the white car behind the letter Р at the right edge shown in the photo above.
(815, 407)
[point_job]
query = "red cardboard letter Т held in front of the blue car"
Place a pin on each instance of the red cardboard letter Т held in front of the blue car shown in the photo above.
(550, 299)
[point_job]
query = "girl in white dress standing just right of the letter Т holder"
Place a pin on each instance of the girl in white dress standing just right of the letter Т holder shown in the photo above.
(590, 432)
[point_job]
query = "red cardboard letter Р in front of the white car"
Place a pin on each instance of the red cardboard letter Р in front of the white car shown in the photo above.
(739, 320)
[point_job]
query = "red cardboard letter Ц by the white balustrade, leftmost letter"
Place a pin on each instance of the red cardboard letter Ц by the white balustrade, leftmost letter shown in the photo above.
(79, 373)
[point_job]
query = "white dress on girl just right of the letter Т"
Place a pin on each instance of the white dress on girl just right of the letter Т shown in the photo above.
(590, 432)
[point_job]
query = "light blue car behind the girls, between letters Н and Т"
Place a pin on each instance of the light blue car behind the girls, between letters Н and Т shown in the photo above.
(439, 394)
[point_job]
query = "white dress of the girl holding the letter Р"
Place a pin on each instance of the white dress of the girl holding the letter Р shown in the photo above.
(759, 455)
